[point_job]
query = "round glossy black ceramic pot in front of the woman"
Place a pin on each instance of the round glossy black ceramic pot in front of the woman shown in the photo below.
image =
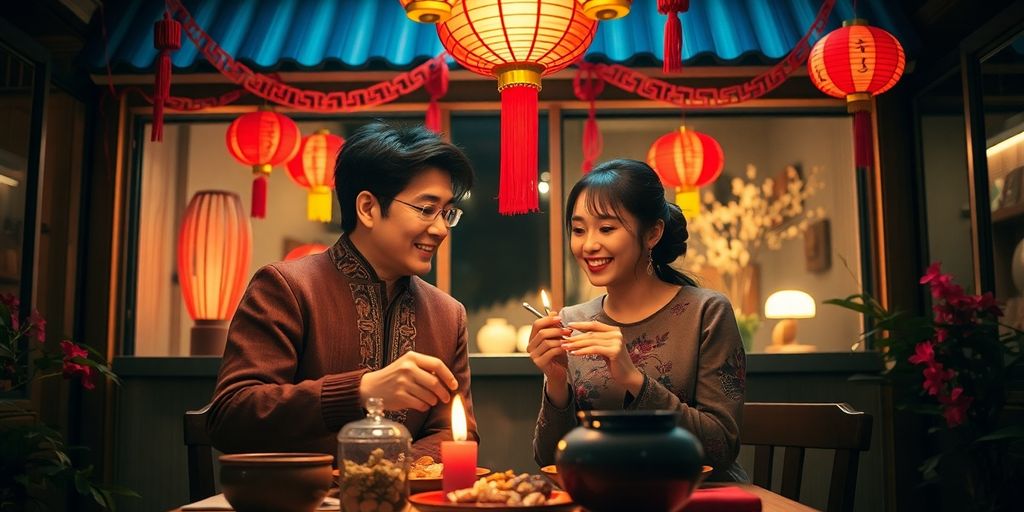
(630, 460)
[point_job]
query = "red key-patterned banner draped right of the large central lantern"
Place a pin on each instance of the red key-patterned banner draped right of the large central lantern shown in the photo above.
(706, 98)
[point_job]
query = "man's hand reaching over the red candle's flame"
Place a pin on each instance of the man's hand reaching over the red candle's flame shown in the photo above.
(413, 381)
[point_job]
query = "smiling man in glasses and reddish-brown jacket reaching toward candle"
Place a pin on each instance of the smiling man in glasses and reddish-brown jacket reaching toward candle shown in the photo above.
(315, 338)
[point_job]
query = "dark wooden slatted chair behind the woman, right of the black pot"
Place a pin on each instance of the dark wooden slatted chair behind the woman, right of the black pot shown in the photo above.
(800, 426)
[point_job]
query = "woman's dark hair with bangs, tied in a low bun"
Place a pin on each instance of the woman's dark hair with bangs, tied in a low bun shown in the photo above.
(634, 187)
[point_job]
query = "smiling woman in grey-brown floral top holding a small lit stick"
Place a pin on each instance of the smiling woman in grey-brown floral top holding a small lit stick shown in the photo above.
(656, 340)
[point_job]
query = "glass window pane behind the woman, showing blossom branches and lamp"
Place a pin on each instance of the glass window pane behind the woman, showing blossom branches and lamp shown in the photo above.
(812, 254)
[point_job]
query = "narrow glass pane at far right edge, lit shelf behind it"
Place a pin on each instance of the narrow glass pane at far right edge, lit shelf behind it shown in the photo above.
(1004, 110)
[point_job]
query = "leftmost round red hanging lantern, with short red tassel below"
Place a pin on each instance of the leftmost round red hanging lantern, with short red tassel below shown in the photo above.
(263, 140)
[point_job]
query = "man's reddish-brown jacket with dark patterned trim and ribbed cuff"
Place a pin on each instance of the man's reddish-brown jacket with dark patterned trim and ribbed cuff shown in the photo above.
(304, 336)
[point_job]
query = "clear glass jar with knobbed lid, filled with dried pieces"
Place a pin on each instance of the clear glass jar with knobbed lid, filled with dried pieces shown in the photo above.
(373, 462)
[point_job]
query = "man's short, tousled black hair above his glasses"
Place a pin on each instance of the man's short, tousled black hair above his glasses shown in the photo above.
(382, 160)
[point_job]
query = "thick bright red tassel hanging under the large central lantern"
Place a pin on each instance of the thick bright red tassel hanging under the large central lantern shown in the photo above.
(518, 185)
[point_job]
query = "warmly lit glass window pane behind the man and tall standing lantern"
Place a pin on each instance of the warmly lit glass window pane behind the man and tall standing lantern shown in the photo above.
(192, 158)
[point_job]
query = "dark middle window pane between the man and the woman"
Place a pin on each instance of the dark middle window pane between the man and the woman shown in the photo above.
(498, 262)
